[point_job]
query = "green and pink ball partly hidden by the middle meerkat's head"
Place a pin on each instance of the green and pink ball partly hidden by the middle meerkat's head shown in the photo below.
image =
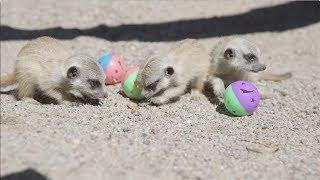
(129, 85)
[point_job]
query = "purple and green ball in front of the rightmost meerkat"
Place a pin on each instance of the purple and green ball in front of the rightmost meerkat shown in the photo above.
(241, 98)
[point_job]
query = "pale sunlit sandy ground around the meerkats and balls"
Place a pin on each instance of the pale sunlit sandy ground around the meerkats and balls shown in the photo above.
(183, 140)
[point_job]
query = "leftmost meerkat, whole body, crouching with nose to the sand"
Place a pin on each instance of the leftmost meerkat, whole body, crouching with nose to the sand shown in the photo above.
(45, 64)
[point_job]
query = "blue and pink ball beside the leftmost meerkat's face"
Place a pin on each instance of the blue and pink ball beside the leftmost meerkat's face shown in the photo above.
(113, 67)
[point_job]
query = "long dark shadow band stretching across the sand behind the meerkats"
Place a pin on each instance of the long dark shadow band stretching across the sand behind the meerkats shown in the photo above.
(281, 17)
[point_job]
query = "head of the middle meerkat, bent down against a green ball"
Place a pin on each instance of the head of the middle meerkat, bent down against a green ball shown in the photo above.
(154, 77)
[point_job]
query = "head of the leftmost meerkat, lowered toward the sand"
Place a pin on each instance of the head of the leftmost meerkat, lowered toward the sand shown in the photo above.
(85, 76)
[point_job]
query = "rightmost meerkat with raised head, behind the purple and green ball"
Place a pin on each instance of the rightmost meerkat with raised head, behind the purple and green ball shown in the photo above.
(238, 59)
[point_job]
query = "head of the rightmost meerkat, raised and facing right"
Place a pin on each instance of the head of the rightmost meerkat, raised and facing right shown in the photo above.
(241, 54)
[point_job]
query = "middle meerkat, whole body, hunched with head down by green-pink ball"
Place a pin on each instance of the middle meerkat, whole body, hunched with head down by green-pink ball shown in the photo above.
(165, 78)
